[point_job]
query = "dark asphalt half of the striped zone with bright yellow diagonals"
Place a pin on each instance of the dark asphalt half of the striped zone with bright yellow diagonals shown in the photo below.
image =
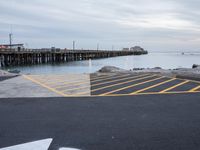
(138, 84)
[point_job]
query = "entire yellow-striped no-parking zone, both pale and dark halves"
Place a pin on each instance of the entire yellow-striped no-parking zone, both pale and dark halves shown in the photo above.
(115, 84)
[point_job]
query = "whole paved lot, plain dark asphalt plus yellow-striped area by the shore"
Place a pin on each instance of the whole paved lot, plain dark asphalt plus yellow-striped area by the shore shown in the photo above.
(100, 111)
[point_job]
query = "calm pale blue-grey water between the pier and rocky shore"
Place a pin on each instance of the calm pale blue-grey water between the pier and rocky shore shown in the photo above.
(164, 60)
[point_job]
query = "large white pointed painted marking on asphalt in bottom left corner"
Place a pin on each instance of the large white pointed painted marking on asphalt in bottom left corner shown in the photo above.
(37, 145)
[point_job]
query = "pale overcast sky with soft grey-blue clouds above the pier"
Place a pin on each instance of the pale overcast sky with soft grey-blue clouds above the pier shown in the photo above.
(155, 25)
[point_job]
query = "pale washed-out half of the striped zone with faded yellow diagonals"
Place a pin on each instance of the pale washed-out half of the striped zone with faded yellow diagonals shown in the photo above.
(64, 85)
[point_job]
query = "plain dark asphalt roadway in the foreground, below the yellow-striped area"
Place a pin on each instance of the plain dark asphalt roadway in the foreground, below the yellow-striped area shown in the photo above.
(139, 122)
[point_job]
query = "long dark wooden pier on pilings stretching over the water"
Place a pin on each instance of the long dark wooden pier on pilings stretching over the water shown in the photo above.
(39, 56)
